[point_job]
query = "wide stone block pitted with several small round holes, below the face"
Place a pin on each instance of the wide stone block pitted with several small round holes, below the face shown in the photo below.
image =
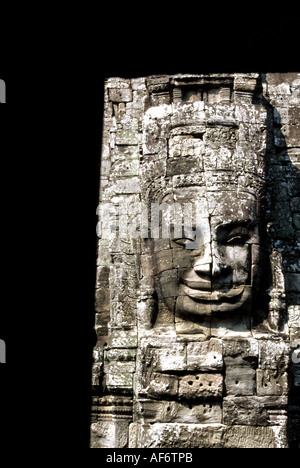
(200, 386)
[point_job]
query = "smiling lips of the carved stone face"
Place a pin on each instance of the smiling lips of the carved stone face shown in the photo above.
(204, 294)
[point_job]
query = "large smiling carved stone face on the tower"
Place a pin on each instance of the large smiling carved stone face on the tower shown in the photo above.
(214, 268)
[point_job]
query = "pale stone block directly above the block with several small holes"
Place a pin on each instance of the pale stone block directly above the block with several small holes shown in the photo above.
(206, 355)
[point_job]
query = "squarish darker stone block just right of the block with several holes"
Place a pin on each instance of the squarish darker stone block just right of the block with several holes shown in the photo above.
(240, 381)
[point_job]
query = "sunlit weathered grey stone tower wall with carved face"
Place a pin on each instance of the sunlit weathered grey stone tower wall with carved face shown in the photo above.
(198, 278)
